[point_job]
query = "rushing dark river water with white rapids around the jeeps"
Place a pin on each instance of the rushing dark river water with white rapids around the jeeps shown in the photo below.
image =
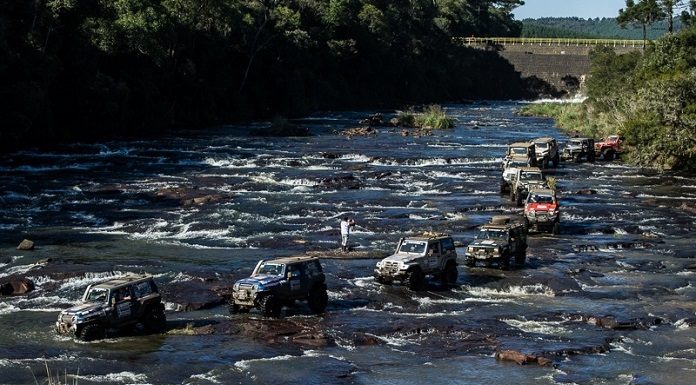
(625, 253)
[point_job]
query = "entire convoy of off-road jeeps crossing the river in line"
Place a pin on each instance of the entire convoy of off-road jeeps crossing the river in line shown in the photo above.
(133, 301)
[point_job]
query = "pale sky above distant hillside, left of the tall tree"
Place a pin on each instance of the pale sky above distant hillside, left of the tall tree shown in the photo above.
(568, 8)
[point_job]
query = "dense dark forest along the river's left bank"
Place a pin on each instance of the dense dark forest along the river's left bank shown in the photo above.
(81, 69)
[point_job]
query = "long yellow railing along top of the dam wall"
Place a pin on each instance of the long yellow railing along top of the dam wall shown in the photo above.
(549, 41)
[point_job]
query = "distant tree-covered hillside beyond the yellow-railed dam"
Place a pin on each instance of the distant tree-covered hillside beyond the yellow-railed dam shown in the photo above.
(574, 27)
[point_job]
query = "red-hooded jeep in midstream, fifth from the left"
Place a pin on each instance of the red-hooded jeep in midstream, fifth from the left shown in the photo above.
(542, 211)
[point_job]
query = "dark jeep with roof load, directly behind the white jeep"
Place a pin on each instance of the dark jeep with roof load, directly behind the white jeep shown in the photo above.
(498, 241)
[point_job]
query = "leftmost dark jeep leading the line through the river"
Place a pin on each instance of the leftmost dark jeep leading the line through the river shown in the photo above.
(113, 305)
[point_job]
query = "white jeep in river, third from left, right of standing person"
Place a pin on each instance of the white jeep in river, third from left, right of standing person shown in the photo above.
(417, 257)
